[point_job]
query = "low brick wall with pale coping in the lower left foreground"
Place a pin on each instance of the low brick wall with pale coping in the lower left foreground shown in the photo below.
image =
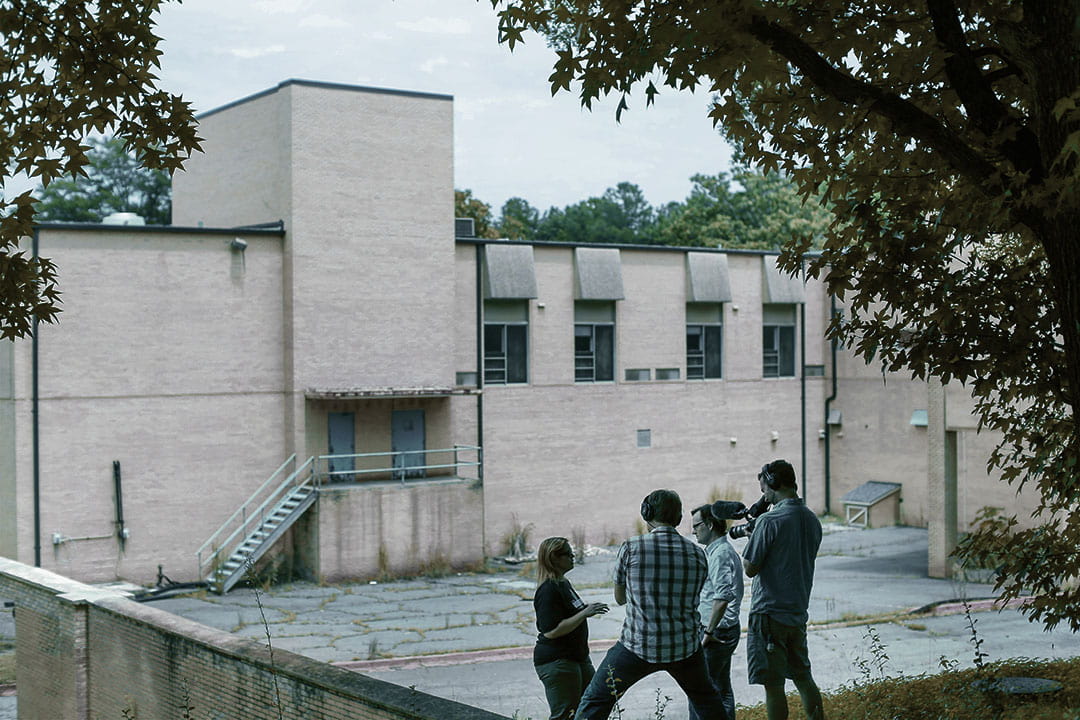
(85, 654)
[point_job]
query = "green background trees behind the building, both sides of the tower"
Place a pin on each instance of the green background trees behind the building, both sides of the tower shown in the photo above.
(745, 209)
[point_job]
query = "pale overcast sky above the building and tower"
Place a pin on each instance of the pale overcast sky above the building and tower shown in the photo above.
(511, 137)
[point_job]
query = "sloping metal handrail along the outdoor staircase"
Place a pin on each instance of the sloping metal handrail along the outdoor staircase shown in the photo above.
(253, 513)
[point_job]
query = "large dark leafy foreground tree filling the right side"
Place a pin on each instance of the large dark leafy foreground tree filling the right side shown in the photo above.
(947, 137)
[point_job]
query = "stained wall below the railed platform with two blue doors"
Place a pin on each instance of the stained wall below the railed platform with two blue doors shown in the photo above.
(400, 528)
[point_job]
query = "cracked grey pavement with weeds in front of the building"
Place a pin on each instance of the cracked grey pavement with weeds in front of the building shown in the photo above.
(469, 636)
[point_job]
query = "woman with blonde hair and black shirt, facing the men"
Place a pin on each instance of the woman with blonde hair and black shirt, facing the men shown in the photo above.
(562, 653)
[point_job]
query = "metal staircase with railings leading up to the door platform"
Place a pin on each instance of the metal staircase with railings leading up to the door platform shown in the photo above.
(258, 525)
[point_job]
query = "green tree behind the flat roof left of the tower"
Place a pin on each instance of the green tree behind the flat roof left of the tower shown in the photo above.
(115, 183)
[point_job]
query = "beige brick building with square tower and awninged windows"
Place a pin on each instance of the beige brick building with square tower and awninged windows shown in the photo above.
(313, 302)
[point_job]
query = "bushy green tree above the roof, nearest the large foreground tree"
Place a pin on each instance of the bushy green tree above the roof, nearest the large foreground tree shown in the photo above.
(762, 211)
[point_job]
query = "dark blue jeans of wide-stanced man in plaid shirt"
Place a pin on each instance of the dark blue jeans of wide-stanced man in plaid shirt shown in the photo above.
(623, 669)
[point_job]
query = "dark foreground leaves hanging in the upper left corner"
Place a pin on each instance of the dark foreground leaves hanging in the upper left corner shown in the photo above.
(70, 70)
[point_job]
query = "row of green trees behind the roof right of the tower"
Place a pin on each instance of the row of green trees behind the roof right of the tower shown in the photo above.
(746, 209)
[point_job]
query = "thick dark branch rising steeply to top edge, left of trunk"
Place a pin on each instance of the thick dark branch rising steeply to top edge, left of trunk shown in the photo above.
(985, 111)
